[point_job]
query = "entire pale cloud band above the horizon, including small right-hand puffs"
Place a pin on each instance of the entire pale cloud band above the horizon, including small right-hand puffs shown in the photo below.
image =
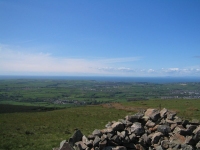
(21, 62)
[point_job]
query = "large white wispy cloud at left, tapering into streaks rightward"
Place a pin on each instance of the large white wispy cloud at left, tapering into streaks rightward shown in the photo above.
(25, 62)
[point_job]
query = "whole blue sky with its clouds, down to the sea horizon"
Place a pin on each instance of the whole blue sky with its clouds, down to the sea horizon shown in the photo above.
(135, 38)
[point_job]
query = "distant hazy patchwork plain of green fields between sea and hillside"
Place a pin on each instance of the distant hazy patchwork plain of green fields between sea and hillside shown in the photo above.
(69, 93)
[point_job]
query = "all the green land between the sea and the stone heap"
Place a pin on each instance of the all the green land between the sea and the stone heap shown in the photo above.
(39, 114)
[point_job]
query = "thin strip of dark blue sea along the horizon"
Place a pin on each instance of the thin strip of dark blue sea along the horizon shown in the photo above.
(167, 79)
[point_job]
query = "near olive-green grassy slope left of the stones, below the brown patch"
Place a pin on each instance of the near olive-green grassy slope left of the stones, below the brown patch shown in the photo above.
(44, 130)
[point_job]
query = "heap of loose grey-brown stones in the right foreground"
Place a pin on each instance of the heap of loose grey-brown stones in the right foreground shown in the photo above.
(153, 129)
